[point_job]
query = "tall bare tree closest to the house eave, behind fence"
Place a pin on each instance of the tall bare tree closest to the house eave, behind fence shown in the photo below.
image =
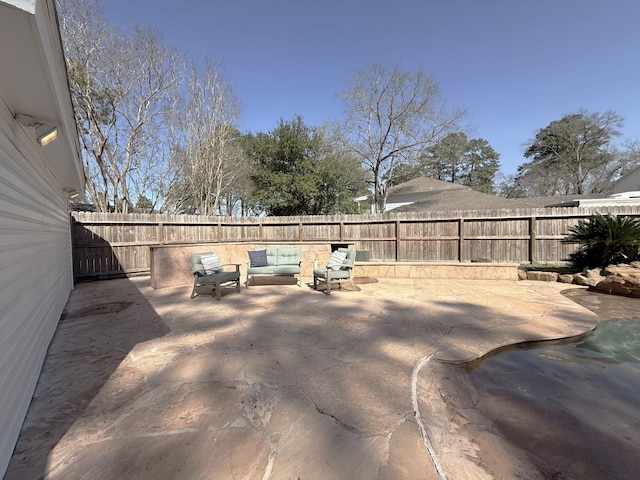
(122, 87)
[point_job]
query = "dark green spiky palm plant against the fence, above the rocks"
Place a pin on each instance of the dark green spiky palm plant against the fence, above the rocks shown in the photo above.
(604, 240)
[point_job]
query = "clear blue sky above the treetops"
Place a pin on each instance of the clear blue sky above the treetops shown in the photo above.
(515, 65)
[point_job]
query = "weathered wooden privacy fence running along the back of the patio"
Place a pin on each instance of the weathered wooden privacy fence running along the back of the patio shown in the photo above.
(111, 244)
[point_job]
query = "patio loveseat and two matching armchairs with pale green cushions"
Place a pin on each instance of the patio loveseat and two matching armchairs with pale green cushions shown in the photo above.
(209, 271)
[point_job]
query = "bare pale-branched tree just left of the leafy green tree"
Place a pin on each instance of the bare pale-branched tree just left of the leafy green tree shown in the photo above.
(209, 158)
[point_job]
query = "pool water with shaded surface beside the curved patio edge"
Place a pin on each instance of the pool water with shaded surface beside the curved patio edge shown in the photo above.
(574, 407)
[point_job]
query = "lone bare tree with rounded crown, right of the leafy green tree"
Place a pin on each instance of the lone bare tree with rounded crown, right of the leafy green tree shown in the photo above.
(390, 117)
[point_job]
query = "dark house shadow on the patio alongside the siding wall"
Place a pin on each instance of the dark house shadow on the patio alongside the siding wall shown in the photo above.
(102, 322)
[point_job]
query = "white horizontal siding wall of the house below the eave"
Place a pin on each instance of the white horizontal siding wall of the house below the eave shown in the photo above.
(35, 267)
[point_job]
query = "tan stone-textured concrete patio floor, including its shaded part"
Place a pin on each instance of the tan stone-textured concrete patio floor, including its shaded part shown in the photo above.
(278, 382)
